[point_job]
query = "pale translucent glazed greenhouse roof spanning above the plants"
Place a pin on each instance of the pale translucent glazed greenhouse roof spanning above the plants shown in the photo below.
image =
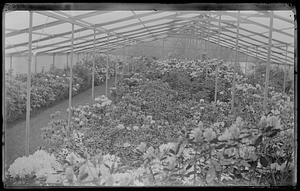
(52, 30)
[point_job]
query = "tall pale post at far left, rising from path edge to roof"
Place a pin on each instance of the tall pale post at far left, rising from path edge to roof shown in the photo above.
(28, 84)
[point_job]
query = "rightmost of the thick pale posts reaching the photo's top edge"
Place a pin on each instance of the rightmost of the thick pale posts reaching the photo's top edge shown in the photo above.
(268, 63)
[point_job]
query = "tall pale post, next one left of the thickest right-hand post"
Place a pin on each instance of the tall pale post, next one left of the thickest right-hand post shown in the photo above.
(235, 64)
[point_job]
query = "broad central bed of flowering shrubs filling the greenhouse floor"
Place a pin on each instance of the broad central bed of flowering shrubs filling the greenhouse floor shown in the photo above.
(153, 132)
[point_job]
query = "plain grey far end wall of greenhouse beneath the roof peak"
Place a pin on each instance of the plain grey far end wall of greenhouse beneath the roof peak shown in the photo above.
(183, 48)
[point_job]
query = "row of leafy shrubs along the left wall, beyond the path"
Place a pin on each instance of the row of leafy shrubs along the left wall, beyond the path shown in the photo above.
(50, 87)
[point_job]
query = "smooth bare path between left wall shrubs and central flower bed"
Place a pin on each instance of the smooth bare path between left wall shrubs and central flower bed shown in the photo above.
(15, 134)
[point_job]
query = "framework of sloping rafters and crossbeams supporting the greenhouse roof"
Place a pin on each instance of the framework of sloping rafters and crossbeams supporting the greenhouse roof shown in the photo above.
(147, 26)
